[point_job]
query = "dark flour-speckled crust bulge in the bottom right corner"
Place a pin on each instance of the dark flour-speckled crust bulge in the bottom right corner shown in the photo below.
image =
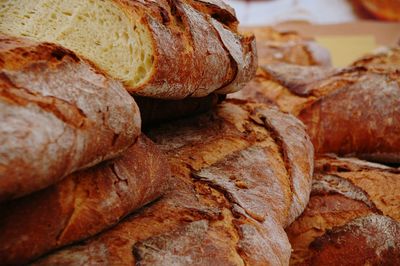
(368, 240)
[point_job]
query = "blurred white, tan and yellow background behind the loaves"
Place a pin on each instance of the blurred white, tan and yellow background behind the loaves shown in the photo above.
(347, 28)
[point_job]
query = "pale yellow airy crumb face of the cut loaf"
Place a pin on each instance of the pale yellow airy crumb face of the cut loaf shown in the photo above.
(99, 30)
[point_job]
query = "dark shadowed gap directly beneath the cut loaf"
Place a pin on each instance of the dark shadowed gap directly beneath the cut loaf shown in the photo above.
(153, 111)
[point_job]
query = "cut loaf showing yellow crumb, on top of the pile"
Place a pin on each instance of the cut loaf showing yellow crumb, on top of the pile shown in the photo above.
(162, 49)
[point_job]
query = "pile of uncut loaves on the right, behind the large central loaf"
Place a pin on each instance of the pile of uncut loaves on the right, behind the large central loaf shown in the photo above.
(353, 216)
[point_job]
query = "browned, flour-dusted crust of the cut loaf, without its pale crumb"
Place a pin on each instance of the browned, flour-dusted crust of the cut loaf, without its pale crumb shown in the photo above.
(209, 54)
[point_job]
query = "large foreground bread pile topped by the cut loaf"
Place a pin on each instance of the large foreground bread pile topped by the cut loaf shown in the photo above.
(80, 183)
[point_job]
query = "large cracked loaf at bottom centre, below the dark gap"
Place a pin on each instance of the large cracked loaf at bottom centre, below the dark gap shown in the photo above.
(239, 173)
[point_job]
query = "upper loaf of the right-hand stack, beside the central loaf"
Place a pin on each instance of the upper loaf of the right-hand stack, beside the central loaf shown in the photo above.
(351, 111)
